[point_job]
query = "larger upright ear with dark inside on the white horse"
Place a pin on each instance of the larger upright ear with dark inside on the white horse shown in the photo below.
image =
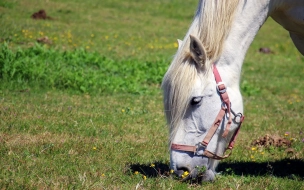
(197, 51)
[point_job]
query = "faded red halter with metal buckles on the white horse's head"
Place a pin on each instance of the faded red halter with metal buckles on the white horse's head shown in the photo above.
(225, 109)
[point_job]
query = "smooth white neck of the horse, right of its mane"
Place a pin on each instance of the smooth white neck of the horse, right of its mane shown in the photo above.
(249, 17)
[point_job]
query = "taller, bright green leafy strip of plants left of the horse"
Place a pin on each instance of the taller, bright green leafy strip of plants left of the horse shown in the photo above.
(77, 70)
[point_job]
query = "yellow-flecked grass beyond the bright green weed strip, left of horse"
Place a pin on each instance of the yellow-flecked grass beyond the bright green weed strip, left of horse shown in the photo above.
(118, 30)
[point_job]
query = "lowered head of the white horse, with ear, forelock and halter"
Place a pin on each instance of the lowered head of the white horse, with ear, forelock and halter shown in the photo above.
(193, 104)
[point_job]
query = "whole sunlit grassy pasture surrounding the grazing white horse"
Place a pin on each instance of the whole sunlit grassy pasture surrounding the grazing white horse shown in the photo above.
(57, 134)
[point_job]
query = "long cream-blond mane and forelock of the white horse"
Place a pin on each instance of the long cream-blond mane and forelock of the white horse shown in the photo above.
(211, 24)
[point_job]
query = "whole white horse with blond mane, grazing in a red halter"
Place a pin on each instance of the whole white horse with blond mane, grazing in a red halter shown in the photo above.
(202, 99)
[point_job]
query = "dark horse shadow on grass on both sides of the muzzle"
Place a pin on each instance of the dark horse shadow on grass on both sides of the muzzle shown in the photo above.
(286, 168)
